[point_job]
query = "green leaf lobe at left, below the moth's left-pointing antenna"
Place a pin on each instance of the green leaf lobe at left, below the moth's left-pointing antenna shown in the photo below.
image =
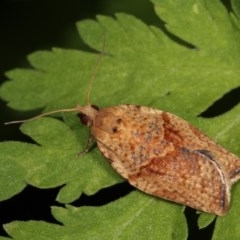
(53, 162)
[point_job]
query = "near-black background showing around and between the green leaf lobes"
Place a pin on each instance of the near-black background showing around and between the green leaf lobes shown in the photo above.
(30, 25)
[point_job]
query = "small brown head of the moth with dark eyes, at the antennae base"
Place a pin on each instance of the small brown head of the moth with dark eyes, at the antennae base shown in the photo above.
(87, 114)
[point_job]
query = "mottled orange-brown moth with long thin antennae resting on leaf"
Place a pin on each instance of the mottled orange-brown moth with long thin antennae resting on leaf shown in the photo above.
(161, 154)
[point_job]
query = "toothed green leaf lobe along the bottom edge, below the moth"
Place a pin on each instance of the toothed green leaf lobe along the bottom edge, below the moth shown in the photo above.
(136, 216)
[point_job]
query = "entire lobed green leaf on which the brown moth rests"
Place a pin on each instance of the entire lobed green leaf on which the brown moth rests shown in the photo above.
(144, 66)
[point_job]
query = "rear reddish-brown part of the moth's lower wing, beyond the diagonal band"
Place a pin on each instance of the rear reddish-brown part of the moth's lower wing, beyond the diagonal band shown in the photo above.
(194, 181)
